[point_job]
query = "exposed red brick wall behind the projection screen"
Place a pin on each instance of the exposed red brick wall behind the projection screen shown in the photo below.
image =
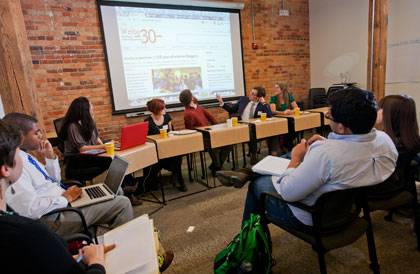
(68, 56)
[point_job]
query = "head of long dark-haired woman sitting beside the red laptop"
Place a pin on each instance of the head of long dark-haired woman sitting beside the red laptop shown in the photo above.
(81, 112)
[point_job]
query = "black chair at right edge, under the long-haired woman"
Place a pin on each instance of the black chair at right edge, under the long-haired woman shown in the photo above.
(398, 191)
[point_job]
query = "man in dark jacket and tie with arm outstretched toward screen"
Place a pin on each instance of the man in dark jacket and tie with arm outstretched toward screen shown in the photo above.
(248, 107)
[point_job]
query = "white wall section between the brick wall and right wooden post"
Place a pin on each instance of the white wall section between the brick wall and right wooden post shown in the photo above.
(338, 41)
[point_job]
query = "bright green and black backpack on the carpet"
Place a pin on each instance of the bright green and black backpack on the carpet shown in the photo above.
(249, 251)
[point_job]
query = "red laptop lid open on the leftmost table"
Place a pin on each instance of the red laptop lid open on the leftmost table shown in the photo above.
(133, 135)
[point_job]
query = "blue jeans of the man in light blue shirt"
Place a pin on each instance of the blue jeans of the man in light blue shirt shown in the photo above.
(277, 210)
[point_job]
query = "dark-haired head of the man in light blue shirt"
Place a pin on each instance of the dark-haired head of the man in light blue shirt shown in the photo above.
(353, 111)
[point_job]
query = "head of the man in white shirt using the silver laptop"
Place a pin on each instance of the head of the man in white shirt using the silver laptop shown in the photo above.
(28, 126)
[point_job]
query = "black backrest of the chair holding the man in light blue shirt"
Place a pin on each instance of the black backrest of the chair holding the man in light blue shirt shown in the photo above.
(336, 209)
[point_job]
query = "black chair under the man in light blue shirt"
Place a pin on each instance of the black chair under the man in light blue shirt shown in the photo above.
(336, 223)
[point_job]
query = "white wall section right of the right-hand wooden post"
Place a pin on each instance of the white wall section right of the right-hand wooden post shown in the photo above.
(403, 56)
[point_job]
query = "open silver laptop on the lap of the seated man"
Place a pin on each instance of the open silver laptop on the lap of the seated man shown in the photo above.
(108, 190)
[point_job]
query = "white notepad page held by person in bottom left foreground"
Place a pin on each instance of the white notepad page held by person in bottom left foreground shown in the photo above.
(135, 250)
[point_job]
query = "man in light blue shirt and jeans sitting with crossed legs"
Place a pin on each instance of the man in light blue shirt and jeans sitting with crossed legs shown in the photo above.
(354, 155)
